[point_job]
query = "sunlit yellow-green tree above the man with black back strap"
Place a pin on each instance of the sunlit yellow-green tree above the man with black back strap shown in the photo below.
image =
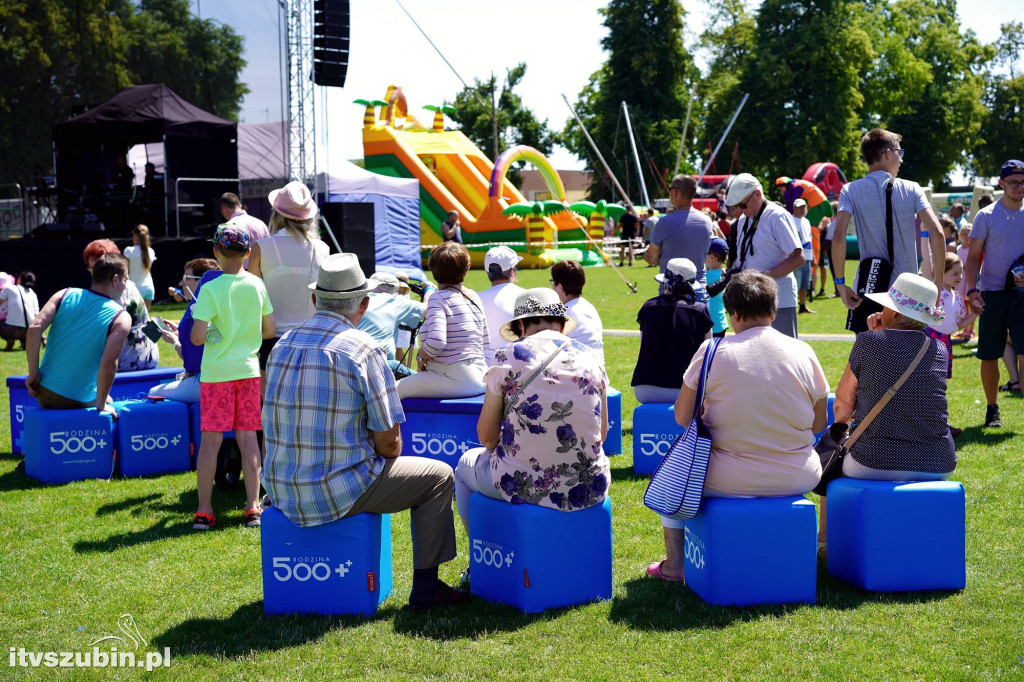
(927, 86)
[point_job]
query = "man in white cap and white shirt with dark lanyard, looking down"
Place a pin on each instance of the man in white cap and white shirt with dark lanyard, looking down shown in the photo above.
(767, 241)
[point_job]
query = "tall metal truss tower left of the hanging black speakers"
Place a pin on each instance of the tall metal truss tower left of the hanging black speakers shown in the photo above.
(302, 100)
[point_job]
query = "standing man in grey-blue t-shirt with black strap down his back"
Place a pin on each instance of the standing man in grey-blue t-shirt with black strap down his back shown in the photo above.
(883, 208)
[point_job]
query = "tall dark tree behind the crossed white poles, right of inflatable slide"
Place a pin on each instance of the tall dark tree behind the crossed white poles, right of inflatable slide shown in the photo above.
(650, 69)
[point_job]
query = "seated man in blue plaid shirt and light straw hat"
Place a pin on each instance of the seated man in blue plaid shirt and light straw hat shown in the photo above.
(331, 421)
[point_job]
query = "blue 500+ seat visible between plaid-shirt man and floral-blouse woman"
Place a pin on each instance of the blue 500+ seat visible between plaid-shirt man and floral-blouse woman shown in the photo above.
(441, 430)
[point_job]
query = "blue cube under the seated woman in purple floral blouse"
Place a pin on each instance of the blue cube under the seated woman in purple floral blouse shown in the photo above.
(536, 559)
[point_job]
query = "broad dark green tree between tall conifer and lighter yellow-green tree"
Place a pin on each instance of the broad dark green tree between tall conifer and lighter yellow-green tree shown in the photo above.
(805, 92)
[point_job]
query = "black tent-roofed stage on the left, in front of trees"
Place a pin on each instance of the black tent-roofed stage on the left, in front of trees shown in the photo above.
(97, 187)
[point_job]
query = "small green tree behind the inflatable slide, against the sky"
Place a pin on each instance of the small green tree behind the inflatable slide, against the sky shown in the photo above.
(517, 123)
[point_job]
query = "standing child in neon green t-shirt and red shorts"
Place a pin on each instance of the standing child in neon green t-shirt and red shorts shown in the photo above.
(233, 316)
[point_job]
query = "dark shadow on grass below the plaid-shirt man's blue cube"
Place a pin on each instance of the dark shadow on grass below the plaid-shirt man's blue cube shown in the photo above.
(248, 629)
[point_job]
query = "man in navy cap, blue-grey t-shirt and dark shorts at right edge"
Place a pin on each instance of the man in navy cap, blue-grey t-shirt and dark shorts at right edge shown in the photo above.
(999, 232)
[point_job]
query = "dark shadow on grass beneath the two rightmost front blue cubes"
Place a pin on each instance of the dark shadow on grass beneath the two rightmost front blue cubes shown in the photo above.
(658, 606)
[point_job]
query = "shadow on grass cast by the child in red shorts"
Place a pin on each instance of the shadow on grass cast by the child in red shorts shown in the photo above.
(176, 523)
